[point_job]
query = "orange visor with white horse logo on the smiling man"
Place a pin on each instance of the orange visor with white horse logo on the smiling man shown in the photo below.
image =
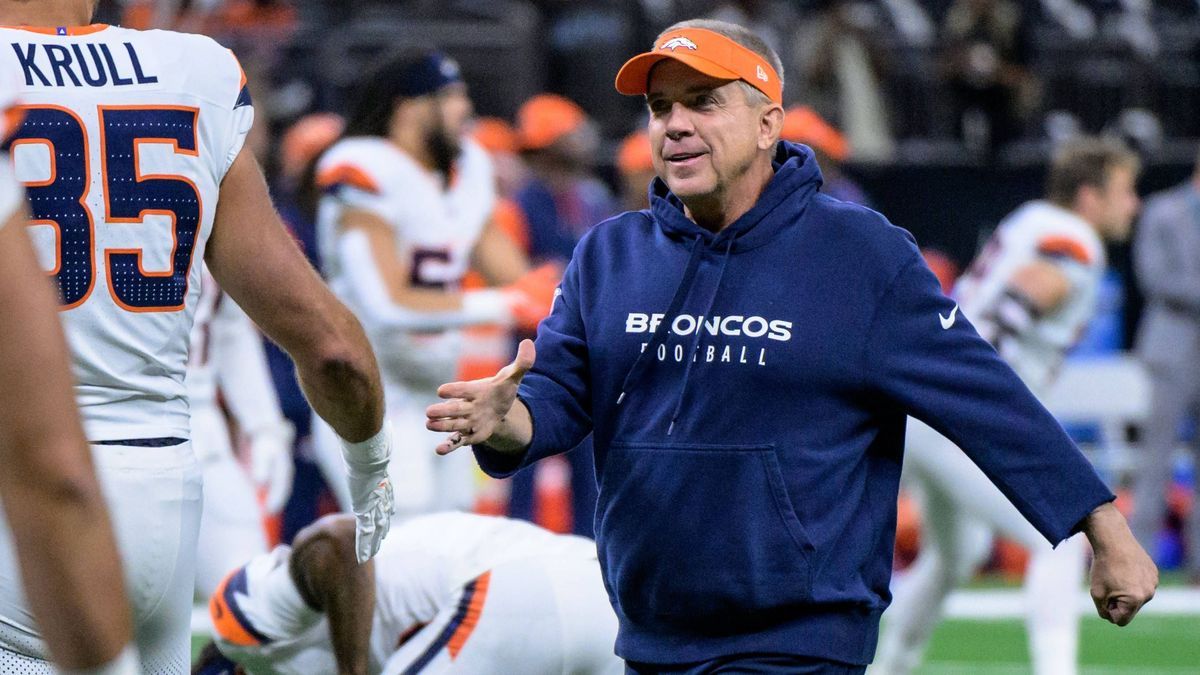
(707, 52)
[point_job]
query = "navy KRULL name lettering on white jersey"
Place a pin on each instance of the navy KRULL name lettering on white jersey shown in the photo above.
(81, 65)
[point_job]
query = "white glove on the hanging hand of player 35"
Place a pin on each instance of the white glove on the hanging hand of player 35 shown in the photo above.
(371, 498)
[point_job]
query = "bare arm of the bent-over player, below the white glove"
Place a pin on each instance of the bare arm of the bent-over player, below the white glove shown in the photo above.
(331, 581)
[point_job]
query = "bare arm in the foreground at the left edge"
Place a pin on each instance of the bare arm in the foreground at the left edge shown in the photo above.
(51, 494)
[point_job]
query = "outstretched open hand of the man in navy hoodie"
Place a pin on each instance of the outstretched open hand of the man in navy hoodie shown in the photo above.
(475, 410)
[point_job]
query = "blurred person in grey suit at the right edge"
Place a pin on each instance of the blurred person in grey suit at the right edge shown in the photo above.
(1167, 258)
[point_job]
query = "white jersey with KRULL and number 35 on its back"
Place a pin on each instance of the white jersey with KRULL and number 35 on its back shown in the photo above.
(127, 139)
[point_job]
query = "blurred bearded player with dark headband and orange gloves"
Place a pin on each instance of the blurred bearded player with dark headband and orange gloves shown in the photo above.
(407, 207)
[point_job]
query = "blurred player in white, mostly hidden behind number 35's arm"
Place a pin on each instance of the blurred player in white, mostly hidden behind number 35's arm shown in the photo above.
(227, 356)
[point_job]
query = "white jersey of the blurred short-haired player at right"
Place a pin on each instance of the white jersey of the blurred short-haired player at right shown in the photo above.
(1039, 231)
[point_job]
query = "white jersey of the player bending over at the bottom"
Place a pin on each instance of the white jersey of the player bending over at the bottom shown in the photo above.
(422, 566)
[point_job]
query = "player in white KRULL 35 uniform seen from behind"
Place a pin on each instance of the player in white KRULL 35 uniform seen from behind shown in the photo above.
(133, 158)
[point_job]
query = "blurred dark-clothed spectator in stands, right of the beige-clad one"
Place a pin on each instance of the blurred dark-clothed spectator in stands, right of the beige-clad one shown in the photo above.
(986, 63)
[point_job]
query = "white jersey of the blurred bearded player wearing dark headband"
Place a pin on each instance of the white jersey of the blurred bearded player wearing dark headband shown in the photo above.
(436, 229)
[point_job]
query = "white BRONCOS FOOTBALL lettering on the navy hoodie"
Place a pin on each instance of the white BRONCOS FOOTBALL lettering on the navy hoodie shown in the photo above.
(734, 326)
